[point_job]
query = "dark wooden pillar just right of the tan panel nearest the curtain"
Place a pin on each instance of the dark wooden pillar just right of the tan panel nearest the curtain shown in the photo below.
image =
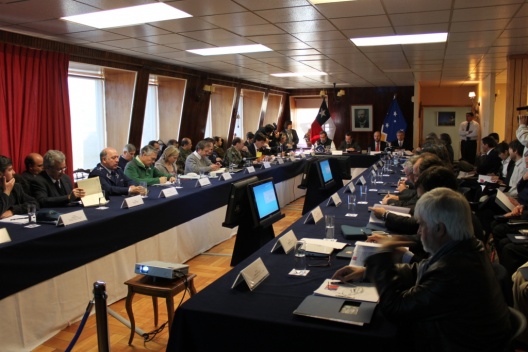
(138, 107)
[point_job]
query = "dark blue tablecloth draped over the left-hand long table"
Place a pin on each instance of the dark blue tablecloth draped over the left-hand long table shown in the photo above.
(38, 254)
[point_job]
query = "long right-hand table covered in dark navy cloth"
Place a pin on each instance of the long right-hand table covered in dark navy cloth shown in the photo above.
(237, 319)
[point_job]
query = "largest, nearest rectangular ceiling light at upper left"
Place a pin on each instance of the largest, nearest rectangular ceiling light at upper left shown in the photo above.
(128, 16)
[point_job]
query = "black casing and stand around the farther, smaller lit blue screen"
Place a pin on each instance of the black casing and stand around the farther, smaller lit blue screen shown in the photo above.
(315, 193)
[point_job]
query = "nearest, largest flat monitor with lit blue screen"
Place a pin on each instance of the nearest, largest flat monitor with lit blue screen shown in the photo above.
(264, 203)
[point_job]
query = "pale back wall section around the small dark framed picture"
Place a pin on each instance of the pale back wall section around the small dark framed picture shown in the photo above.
(430, 125)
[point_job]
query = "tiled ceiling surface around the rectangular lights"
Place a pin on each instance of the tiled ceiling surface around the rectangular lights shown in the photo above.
(304, 37)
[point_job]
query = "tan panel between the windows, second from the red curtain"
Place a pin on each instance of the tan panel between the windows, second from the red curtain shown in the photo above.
(170, 101)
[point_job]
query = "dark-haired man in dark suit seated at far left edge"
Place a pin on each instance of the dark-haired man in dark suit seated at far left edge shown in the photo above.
(13, 199)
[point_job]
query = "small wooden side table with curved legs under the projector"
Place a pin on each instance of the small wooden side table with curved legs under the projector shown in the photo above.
(160, 287)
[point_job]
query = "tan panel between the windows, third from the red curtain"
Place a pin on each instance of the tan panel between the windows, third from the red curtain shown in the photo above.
(222, 102)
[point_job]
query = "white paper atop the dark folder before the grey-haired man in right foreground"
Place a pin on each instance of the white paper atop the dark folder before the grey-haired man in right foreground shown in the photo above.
(358, 291)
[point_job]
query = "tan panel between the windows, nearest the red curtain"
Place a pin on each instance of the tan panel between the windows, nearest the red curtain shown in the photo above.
(119, 93)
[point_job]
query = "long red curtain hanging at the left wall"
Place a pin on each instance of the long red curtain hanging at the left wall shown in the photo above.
(34, 104)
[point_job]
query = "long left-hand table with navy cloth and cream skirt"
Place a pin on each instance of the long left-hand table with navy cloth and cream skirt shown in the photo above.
(48, 272)
